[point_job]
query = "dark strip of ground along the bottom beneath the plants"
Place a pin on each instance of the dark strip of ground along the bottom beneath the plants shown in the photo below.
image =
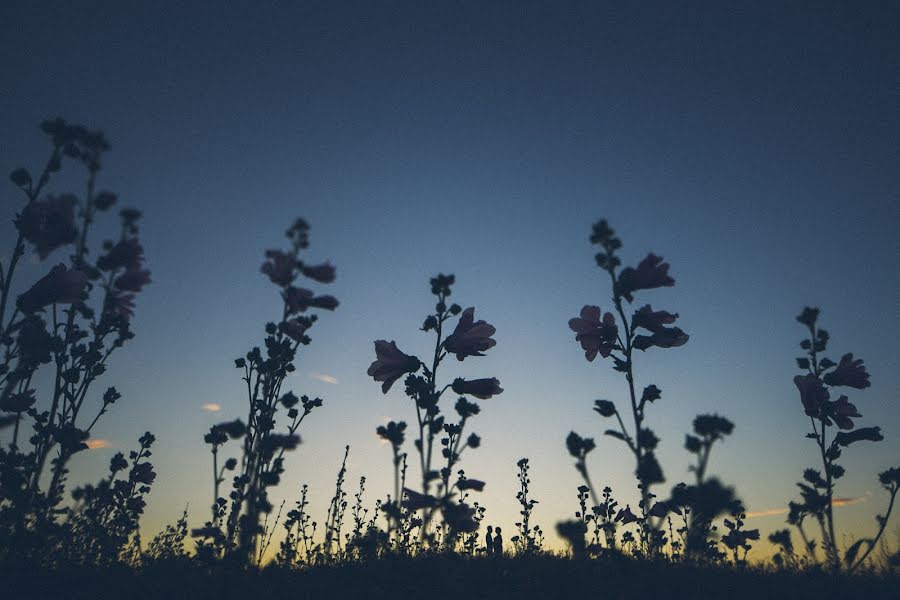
(520, 578)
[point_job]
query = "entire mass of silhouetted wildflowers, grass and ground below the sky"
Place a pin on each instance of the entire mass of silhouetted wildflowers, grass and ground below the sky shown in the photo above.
(428, 535)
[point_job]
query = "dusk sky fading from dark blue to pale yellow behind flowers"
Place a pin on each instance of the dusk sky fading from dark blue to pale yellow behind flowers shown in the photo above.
(755, 148)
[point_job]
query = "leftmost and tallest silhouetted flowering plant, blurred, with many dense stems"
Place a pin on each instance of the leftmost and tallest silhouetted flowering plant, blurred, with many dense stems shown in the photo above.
(69, 322)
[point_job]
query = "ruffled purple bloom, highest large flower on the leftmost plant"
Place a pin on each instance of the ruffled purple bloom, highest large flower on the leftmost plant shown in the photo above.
(49, 223)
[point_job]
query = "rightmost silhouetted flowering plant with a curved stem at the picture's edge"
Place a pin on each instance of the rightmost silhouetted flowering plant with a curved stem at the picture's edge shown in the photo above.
(817, 490)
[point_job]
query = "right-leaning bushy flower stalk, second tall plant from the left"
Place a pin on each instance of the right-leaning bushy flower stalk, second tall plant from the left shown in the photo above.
(262, 458)
